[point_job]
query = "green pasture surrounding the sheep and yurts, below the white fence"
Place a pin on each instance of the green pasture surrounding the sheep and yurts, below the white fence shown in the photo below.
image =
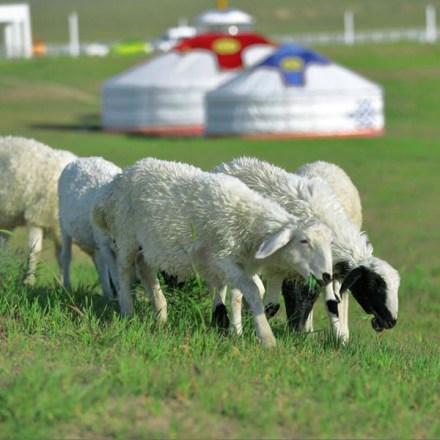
(70, 368)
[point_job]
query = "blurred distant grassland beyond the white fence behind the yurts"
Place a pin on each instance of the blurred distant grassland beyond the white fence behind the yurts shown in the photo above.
(103, 20)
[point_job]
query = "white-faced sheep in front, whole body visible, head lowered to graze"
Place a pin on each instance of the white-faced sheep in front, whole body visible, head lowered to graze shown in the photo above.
(175, 217)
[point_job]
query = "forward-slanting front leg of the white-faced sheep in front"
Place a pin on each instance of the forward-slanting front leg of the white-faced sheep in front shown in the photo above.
(246, 284)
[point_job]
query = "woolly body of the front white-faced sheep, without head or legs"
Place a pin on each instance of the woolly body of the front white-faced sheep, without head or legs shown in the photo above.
(181, 215)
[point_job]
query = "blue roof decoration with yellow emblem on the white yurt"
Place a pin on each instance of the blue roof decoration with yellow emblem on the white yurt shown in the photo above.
(292, 61)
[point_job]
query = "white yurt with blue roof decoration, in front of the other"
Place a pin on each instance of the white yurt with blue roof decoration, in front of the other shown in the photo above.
(295, 92)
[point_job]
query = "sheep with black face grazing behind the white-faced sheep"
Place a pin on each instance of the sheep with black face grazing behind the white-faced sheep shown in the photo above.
(311, 197)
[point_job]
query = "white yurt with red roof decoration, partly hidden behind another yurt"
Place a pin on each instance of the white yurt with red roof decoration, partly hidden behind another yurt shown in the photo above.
(165, 94)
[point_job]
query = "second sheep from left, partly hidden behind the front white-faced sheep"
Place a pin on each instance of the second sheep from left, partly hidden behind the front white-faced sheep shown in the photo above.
(78, 185)
